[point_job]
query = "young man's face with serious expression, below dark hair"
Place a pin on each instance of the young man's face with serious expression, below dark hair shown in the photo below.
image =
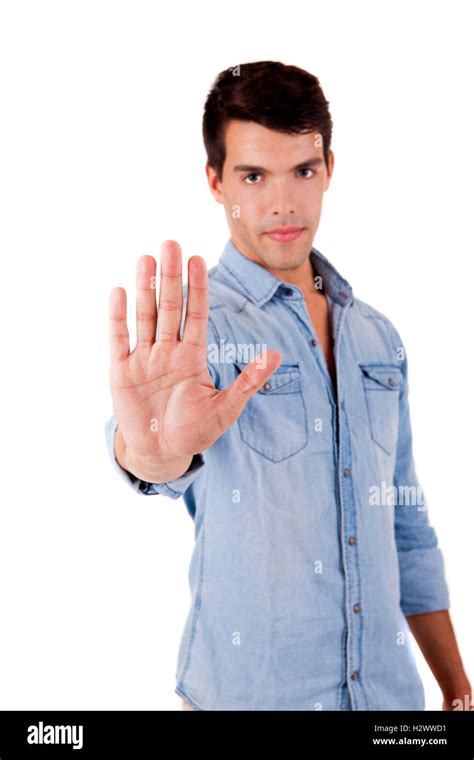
(271, 179)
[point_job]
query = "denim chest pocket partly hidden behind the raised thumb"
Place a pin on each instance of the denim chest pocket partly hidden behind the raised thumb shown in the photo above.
(274, 422)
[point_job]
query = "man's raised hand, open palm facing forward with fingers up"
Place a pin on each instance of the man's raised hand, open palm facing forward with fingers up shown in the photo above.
(165, 403)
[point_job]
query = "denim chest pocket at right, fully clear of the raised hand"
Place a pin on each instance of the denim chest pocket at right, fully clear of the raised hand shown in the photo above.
(382, 390)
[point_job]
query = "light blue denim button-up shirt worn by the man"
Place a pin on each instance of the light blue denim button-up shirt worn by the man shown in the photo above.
(312, 535)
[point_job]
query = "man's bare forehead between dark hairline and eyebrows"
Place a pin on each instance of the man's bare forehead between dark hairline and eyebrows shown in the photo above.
(250, 143)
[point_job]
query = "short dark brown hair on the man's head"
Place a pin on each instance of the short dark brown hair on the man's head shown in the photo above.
(277, 96)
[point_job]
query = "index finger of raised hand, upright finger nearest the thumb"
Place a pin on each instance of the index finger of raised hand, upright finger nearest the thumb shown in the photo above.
(197, 307)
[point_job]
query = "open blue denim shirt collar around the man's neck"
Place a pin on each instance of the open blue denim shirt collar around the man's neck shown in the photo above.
(259, 285)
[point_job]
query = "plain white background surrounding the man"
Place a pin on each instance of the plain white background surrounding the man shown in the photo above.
(102, 160)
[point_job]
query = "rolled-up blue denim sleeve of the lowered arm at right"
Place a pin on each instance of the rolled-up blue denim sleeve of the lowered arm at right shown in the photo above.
(423, 584)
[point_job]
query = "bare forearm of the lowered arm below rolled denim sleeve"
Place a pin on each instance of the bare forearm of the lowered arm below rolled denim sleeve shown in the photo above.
(434, 634)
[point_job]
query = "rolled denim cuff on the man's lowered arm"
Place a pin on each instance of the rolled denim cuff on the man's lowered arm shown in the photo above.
(422, 581)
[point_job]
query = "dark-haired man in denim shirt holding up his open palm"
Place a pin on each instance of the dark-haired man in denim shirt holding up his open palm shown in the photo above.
(314, 555)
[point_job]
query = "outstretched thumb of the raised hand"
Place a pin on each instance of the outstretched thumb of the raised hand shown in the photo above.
(234, 398)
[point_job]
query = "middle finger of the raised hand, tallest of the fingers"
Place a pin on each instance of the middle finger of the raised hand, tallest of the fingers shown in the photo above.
(170, 305)
